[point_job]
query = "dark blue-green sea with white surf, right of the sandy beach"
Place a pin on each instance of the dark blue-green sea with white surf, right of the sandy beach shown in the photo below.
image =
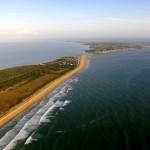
(105, 106)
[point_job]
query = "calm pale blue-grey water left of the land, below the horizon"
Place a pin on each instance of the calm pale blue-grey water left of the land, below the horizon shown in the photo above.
(16, 54)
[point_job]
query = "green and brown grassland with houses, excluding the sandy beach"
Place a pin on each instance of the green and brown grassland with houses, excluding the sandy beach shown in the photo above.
(18, 83)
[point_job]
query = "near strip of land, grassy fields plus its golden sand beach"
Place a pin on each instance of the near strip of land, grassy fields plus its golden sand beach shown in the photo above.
(21, 87)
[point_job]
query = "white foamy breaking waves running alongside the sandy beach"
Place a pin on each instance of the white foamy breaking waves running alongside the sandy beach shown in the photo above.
(40, 114)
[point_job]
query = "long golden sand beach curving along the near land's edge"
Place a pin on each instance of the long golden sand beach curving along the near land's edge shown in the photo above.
(15, 111)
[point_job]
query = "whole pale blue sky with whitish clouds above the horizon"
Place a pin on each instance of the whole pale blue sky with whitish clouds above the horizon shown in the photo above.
(70, 19)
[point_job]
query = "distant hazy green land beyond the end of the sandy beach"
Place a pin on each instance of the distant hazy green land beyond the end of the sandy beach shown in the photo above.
(98, 48)
